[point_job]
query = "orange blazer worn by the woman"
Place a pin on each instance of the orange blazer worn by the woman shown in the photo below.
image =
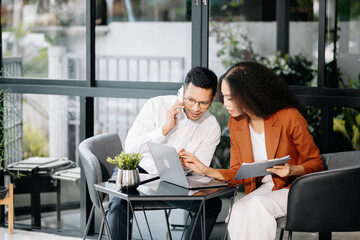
(286, 133)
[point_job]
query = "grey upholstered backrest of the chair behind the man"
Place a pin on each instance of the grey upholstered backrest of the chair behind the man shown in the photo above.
(93, 154)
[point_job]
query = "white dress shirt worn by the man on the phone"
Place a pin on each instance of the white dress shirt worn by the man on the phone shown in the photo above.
(199, 137)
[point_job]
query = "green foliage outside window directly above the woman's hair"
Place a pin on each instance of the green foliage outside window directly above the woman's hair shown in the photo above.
(235, 47)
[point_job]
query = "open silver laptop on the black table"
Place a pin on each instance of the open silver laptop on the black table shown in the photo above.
(170, 169)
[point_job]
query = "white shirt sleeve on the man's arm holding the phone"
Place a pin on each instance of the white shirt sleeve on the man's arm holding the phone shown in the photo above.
(146, 127)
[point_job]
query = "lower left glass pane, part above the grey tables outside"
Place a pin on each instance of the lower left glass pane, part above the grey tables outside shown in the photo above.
(40, 126)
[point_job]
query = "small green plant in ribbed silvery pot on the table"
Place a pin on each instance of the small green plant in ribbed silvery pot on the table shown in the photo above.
(128, 177)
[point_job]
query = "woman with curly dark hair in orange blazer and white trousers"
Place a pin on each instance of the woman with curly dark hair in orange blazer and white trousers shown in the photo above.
(265, 123)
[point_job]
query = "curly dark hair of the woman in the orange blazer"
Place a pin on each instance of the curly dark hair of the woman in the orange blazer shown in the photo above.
(258, 89)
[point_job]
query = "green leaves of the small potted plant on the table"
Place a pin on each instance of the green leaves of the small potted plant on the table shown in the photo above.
(126, 161)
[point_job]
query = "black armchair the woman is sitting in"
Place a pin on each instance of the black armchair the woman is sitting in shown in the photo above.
(327, 201)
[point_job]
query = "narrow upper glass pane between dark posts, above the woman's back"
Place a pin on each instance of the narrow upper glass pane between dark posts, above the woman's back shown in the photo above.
(299, 65)
